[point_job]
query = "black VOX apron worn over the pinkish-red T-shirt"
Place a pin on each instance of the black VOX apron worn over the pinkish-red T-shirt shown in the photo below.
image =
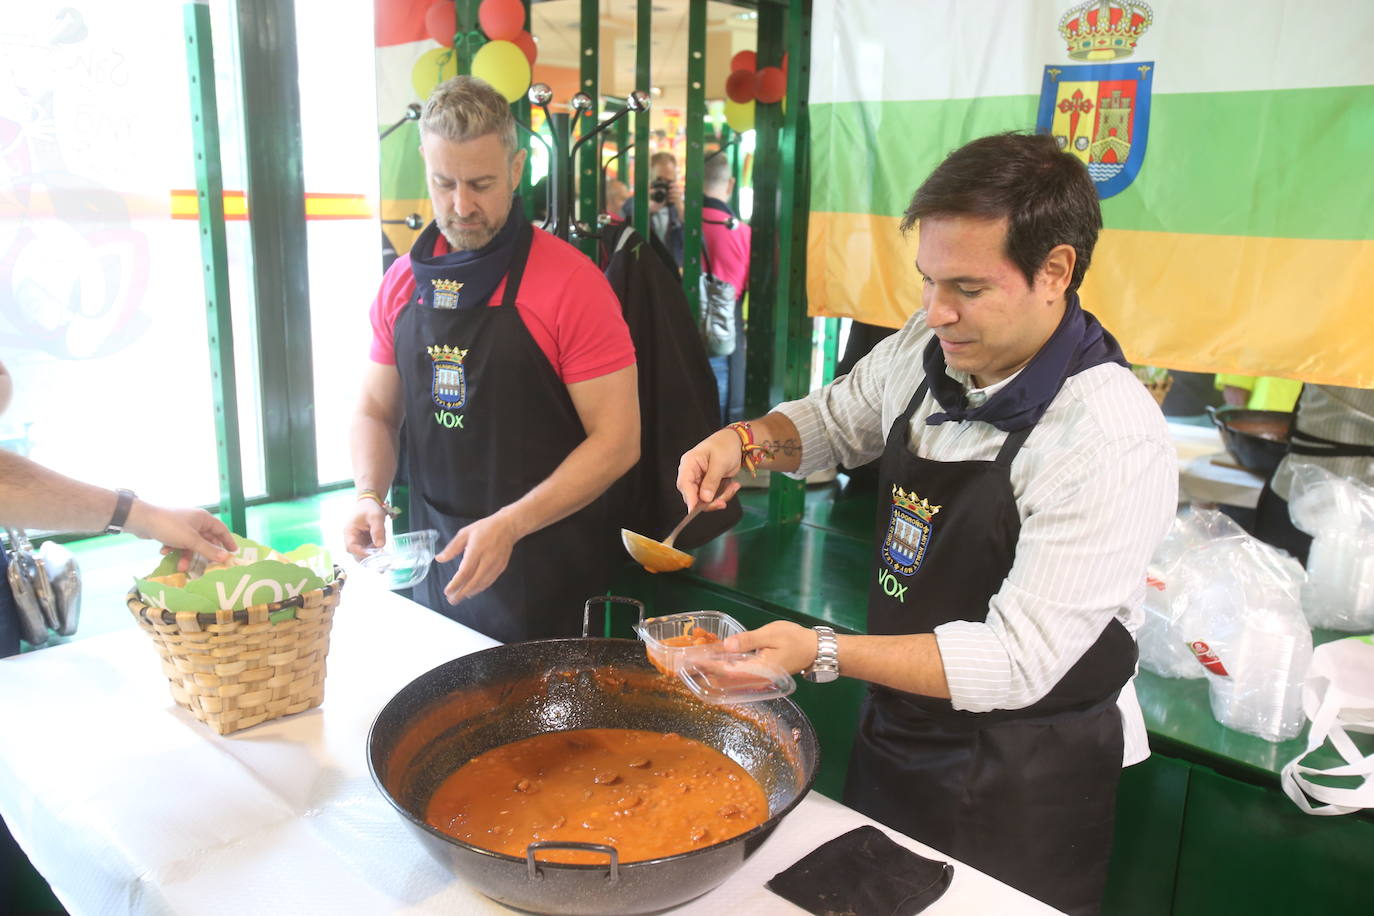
(488, 420)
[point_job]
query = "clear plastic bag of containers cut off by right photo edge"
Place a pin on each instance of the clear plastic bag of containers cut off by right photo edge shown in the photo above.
(1339, 514)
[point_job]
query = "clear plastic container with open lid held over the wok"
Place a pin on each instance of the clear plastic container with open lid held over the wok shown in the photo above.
(689, 646)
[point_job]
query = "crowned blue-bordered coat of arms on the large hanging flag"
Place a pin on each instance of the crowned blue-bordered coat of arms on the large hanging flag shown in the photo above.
(1101, 112)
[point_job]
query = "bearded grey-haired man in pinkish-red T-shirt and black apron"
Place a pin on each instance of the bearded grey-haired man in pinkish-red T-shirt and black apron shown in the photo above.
(506, 355)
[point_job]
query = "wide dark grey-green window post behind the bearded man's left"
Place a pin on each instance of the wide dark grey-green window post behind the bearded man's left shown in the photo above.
(277, 233)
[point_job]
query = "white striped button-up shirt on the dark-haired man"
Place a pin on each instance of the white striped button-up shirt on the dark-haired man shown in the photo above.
(1096, 487)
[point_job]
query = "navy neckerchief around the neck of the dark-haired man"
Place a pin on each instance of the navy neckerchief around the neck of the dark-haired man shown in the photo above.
(1079, 344)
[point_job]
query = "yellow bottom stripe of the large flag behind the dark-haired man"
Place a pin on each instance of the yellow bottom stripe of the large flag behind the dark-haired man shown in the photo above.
(1200, 303)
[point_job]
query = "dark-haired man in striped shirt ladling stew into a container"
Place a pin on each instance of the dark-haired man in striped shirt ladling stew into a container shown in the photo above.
(1027, 479)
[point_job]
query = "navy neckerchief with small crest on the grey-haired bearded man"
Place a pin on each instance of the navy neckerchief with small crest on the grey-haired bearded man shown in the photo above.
(479, 273)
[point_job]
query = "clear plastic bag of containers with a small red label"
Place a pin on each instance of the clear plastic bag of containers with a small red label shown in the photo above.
(1236, 605)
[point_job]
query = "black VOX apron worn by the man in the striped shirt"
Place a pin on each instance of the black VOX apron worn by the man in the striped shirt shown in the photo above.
(1024, 796)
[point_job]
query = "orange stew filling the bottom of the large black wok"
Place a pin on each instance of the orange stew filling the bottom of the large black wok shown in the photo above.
(648, 794)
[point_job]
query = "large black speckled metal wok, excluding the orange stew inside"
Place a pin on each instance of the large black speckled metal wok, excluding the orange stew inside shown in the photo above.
(473, 704)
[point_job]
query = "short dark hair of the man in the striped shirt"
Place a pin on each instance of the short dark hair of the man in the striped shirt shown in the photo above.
(1045, 194)
